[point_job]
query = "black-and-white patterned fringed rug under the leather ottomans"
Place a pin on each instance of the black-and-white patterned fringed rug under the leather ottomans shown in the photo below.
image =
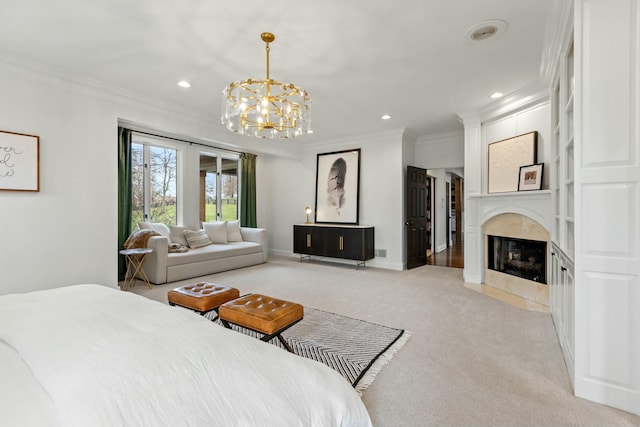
(357, 349)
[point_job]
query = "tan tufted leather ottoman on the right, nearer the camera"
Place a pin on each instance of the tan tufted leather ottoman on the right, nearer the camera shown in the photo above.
(263, 314)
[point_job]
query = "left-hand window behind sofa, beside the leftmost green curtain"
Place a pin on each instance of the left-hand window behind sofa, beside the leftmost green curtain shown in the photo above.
(154, 172)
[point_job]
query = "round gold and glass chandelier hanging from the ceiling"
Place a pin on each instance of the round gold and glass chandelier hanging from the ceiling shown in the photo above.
(266, 108)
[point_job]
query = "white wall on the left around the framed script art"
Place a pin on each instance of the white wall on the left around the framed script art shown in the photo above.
(67, 232)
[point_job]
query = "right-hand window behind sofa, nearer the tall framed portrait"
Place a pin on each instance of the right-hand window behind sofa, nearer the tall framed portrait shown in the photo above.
(218, 188)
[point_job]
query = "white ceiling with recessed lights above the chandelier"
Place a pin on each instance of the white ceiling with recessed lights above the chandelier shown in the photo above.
(358, 59)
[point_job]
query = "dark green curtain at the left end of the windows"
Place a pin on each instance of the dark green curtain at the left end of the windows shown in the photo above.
(124, 193)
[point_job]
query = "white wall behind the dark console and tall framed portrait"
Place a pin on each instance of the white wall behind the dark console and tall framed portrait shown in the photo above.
(293, 182)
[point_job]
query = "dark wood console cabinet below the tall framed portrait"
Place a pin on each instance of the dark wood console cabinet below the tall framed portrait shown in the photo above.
(334, 241)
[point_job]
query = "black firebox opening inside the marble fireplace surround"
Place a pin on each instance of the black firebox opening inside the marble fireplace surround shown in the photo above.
(518, 257)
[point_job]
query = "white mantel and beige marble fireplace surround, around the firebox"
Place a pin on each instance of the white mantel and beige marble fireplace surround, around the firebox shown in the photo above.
(524, 215)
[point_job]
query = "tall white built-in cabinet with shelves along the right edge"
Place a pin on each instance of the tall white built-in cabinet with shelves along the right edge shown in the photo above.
(595, 185)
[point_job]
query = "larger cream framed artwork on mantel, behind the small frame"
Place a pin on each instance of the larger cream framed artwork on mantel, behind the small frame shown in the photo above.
(505, 159)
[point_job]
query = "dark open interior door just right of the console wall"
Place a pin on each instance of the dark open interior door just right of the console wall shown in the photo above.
(417, 196)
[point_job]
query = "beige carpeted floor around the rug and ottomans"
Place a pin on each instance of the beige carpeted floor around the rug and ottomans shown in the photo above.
(471, 360)
